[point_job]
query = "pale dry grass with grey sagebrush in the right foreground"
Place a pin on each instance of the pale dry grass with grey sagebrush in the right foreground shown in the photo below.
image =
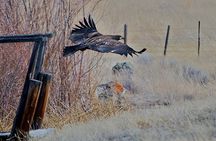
(171, 104)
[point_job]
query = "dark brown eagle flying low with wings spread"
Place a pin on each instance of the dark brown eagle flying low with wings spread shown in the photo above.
(85, 36)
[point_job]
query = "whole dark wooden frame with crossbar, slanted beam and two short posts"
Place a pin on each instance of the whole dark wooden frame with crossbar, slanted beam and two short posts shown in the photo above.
(33, 101)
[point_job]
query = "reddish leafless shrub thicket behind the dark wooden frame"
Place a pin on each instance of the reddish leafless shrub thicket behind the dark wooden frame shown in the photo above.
(74, 78)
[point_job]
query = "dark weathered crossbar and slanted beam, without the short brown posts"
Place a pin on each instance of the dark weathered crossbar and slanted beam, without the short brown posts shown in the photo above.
(34, 68)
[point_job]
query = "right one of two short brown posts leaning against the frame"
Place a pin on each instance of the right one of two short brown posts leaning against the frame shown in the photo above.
(42, 101)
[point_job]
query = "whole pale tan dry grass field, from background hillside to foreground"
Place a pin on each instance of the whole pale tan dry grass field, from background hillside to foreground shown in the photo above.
(175, 97)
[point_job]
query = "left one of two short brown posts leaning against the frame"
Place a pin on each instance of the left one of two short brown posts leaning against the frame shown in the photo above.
(29, 110)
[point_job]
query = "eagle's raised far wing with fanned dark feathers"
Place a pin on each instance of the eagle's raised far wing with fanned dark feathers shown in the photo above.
(83, 31)
